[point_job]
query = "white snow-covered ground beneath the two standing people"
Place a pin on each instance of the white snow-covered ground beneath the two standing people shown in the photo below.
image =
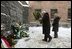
(36, 36)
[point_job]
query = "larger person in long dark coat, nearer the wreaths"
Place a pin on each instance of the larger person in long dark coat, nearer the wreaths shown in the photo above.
(46, 27)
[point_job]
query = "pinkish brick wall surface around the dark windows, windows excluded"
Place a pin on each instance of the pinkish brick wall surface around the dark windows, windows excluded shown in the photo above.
(61, 6)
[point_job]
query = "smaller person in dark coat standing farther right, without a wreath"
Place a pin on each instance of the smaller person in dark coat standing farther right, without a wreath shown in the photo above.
(55, 26)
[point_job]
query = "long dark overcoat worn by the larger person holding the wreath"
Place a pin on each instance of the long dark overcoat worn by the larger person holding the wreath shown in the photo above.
(46, 24)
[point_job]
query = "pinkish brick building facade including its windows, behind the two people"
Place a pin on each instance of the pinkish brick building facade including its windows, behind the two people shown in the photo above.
(62, 8)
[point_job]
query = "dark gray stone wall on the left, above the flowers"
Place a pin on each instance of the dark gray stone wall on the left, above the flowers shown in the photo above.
(13, 11)
